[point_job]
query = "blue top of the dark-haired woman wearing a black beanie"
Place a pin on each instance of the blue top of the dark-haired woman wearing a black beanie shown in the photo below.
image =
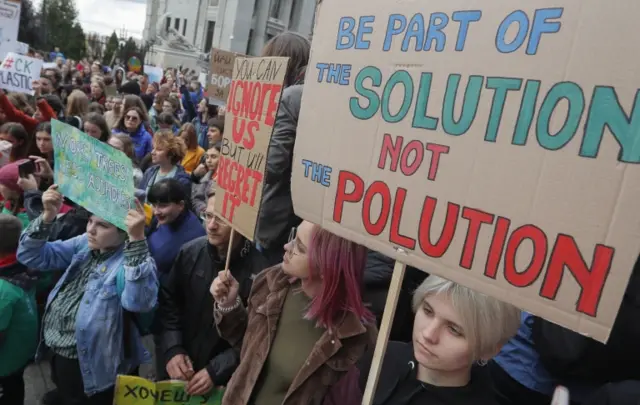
(166, 241)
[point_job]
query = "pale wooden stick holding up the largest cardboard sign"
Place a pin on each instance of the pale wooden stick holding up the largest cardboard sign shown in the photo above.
(383, 333)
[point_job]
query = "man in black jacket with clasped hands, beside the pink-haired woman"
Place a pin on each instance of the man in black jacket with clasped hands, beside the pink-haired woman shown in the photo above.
(193, 350)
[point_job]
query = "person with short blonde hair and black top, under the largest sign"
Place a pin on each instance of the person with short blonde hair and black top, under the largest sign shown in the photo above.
(455, 332)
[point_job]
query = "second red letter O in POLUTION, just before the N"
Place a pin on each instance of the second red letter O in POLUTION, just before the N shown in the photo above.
(532, 272)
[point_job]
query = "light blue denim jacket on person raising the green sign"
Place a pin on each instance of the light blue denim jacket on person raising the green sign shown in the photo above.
(99, 322)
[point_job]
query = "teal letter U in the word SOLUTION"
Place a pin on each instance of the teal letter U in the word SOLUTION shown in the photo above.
(469, 104)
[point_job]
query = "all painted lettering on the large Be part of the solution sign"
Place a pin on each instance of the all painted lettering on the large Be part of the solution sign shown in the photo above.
(586, 115)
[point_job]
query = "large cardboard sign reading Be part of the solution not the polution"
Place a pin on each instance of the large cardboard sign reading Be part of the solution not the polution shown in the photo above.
(496, 145)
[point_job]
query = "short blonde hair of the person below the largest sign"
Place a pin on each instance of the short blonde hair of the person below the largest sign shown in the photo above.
(488, 322)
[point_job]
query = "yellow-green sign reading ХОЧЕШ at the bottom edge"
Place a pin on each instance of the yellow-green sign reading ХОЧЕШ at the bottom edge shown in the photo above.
(139, 391)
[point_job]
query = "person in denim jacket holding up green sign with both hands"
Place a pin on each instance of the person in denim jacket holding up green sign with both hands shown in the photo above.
(84, 323)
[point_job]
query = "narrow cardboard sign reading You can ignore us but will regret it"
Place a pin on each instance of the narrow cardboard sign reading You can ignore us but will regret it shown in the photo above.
(253, 103)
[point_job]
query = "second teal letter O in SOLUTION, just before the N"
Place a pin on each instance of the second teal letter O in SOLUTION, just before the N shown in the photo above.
(560, 91)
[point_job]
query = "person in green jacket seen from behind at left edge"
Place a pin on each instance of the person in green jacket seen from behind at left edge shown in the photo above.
(18, 314)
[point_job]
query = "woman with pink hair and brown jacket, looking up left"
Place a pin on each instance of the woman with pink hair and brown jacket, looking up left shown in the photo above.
(305, 323)
